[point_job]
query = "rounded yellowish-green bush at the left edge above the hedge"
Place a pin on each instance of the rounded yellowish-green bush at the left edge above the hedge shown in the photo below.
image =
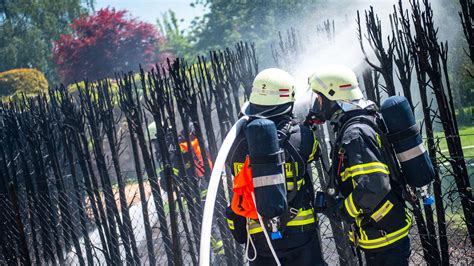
(26, 80)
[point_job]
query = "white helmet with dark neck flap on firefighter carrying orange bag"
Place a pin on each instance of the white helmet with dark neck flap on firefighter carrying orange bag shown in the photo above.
(273, 93)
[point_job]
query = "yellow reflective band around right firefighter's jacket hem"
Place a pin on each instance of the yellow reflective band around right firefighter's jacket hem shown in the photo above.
(385, 240)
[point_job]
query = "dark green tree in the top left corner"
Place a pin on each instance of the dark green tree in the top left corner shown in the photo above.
(27, 29)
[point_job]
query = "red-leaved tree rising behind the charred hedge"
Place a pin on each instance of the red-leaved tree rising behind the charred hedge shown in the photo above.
(105, 43)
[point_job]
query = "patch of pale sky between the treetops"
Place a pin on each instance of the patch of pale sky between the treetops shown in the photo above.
(151, 10)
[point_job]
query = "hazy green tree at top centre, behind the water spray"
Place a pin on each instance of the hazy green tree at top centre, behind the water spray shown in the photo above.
(229, 22)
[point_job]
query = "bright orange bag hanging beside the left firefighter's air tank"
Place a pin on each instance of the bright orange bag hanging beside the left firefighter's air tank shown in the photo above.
(242, 202)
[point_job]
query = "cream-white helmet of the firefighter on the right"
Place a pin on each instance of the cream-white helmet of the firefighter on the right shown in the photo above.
(337, 83)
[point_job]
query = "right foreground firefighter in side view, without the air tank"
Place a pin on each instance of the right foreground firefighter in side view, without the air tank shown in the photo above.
(372, 201)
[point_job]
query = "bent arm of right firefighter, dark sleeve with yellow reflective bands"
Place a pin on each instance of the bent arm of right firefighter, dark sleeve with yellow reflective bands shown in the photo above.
(365, 167)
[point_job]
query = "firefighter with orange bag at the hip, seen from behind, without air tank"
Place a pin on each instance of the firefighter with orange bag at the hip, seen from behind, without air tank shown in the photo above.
(273, 98)
